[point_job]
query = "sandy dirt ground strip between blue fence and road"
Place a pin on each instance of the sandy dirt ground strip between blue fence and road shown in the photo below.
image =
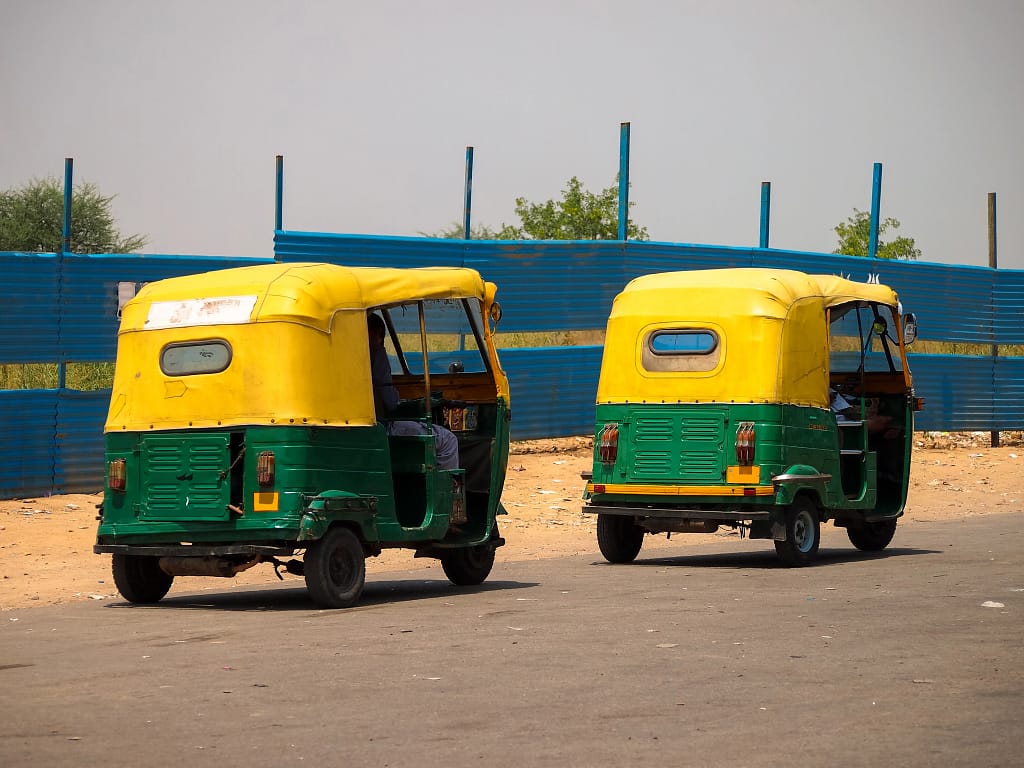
(47, 553)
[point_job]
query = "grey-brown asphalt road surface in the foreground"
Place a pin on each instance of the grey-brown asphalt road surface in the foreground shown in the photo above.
(705, 656)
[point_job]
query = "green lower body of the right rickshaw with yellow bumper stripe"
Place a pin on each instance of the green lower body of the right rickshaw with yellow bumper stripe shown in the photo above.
(694, 445)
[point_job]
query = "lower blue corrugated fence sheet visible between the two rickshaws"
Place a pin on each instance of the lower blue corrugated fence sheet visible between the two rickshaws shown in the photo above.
(553, 391)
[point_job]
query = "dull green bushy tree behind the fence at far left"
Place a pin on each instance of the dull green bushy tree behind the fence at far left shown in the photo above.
(32, 221)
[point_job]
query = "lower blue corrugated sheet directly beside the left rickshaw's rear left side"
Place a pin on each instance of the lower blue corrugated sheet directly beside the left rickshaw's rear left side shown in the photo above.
(79, 464)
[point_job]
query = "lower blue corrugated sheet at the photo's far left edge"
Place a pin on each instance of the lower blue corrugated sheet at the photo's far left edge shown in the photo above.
(28, 424)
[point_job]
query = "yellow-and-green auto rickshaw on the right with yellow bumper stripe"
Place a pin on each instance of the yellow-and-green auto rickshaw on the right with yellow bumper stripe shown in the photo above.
(717, 406)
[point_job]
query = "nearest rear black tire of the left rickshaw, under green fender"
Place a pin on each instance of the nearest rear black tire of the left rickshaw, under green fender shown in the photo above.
(335, 569)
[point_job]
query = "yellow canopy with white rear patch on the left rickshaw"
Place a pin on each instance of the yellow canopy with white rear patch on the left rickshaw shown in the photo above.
(295, 336)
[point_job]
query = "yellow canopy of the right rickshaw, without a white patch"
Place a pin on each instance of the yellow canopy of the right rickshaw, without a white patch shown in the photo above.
(771, 328)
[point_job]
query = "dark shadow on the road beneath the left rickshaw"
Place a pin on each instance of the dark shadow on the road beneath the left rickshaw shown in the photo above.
(294, 596)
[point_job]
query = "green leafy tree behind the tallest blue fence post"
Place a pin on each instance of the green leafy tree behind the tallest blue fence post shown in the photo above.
(579, 216)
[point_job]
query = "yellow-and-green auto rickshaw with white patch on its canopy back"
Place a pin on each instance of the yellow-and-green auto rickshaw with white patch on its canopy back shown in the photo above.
(242, 428)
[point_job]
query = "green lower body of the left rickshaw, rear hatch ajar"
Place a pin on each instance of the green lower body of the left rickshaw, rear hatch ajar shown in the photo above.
(199, 487)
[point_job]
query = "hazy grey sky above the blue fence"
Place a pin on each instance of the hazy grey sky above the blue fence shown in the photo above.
(180, 109)
